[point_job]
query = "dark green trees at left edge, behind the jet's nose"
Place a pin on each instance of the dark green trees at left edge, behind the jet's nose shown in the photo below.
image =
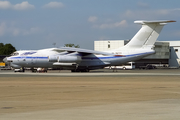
(6, 49)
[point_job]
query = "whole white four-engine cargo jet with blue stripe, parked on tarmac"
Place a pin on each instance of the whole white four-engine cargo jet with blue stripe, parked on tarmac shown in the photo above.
(83, 60)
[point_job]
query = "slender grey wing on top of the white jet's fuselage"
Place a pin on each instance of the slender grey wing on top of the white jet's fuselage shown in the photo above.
(81, 51)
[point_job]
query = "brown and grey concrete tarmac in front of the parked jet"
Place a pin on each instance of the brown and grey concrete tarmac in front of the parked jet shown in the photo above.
(98, 95)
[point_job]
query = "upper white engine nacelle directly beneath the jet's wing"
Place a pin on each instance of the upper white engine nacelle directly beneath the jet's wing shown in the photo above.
(65, 58)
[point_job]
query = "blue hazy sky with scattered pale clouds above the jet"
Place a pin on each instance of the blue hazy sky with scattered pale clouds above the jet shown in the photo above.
(37, 24)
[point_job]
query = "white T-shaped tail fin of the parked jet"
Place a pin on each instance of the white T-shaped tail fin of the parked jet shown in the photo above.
(148, 34)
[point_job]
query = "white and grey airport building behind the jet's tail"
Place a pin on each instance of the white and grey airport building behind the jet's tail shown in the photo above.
(167, 52)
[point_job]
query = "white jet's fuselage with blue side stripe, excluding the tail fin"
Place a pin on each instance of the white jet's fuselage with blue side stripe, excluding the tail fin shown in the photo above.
(92, 61)
